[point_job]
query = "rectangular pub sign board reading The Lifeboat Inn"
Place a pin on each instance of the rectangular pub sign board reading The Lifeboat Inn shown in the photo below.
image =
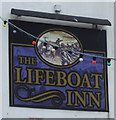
(47, 72)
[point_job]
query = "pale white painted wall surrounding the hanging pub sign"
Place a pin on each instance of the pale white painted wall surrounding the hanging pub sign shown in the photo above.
(88, 9)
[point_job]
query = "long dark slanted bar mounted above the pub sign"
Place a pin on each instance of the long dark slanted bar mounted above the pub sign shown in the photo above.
(60, 17)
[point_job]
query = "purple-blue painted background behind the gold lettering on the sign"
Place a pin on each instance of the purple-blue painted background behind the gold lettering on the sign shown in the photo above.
(82, 67)
